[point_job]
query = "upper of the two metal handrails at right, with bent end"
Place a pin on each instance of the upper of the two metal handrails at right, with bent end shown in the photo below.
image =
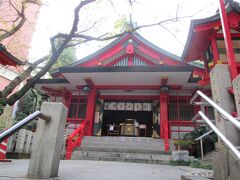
(218, 108)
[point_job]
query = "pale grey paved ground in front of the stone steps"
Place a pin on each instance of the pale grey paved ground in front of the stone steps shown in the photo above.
(98, 170)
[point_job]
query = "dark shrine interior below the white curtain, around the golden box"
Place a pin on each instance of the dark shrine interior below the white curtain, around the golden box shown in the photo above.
(144, 120)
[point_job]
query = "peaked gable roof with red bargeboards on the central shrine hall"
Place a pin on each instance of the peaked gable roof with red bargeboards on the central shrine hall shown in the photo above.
(137, 41)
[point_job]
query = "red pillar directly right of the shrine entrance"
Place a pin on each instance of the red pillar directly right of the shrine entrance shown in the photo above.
(164, 118)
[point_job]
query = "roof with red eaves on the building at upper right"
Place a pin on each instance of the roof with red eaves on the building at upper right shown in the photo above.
(200, 37)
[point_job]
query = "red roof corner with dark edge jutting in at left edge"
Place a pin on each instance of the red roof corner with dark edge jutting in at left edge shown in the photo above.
(8, 59)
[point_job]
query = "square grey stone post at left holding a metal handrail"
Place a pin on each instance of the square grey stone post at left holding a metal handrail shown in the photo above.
(46, 150)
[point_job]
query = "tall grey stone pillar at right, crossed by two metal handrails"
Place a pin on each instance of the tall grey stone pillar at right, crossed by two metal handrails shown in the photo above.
(220, 83)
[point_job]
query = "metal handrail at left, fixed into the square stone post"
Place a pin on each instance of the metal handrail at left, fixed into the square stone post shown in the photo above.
(22, 123)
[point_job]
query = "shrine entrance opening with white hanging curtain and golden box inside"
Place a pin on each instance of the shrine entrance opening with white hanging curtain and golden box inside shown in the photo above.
(127, 119)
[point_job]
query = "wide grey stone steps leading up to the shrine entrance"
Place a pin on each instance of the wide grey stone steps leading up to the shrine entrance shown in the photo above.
(128, 149)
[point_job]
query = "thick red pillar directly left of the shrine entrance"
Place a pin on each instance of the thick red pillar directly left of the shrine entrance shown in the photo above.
(91, 103)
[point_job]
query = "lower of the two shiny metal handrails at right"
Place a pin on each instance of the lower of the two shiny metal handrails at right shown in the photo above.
(223, 138)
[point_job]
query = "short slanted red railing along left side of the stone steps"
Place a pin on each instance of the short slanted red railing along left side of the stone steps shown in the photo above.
(75, 139)
